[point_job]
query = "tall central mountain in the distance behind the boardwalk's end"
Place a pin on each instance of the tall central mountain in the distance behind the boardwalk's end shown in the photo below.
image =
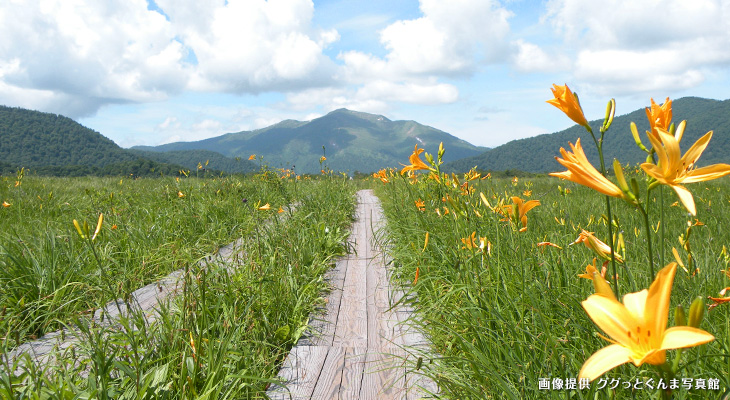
(353, 141)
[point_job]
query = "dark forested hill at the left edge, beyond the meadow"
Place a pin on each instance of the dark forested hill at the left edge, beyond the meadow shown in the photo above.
(52, 144)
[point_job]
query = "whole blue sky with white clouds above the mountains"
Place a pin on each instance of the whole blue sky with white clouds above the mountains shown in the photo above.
(145, 73)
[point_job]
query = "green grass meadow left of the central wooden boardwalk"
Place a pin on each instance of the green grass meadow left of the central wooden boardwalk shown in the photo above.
(228, 331)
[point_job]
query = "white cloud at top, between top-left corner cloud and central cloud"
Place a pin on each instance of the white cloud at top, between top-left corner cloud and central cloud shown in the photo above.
(253, 46)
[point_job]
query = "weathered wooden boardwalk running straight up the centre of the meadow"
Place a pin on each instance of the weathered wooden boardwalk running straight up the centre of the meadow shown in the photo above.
(359, 347)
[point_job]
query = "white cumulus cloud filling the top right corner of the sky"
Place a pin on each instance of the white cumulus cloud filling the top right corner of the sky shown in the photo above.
(630, 47)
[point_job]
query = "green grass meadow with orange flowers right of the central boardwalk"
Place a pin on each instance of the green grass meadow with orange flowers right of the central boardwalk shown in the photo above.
(499, 322)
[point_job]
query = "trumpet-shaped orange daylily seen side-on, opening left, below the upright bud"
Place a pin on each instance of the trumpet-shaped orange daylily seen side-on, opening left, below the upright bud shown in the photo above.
(581, 171)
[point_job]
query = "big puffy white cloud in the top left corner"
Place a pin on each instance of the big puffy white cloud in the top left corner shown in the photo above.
(72, 56)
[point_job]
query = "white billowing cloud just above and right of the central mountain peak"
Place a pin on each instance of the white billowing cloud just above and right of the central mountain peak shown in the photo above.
(449, 40)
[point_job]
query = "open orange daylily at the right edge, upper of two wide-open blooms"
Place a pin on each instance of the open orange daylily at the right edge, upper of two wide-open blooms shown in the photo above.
(673, 170)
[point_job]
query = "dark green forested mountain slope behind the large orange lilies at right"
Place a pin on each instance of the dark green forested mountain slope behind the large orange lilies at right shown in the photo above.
(537, 154)
